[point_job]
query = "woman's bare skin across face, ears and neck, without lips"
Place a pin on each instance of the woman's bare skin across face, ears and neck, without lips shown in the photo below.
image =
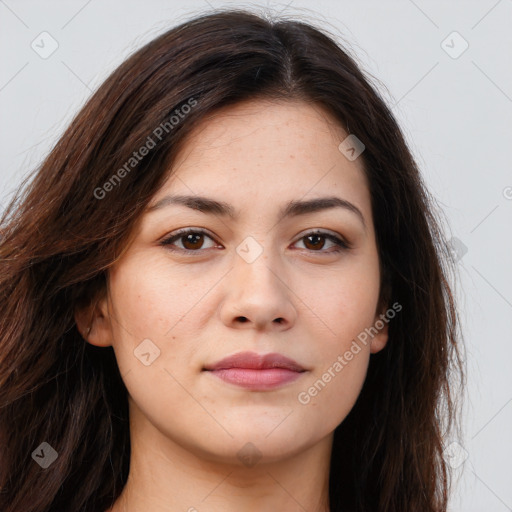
(187, 426)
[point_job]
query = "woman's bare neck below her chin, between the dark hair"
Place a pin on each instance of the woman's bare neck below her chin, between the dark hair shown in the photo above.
(165, 477)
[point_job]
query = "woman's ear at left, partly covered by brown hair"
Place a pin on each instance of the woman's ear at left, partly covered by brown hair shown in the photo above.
(93, 322)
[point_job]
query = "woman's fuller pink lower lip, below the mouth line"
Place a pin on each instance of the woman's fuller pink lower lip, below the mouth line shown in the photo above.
(269, 378)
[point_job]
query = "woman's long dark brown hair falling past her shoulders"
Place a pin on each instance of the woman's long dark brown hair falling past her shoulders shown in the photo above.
(62, 232)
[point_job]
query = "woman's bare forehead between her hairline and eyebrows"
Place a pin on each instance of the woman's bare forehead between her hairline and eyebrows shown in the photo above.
(267, 153)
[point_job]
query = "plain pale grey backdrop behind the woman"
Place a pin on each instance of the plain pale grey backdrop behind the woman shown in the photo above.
(444, 67)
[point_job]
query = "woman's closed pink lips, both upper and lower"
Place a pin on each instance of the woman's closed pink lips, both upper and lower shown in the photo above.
(256, 372)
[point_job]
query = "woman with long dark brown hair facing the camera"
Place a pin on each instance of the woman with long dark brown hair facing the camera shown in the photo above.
(226, 288)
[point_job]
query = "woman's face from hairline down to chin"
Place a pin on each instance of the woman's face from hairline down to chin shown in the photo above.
(258, 273)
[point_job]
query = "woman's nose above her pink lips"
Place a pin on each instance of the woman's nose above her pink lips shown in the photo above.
(257, 296)
